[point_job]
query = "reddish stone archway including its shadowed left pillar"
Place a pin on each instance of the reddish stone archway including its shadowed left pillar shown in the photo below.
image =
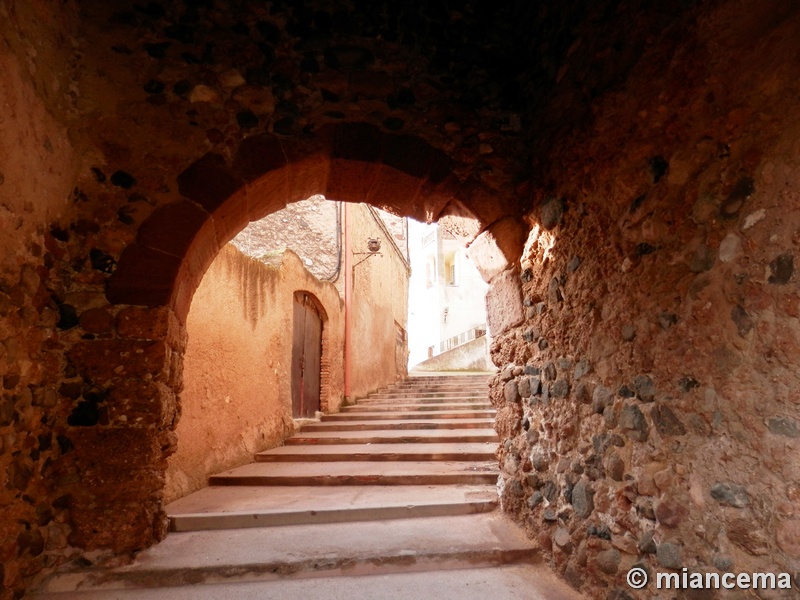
(151, 289)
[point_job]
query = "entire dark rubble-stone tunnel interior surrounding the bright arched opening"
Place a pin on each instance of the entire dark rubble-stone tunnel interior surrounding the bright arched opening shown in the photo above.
(648, 398)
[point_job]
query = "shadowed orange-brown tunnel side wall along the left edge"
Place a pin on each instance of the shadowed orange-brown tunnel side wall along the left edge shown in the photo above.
(38, 164)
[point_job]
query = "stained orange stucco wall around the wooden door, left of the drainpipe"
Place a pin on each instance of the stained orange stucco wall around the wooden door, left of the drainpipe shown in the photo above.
(237, 368)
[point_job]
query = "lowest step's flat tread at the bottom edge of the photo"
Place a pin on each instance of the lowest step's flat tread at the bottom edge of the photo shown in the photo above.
(511, 582)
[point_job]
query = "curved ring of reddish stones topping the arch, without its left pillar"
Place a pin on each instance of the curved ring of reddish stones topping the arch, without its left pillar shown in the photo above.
(354, 162)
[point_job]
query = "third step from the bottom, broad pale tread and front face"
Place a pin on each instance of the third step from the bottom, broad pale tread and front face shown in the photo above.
(234, 507)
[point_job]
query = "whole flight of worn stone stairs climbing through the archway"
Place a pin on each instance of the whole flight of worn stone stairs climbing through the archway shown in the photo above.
(392, 497)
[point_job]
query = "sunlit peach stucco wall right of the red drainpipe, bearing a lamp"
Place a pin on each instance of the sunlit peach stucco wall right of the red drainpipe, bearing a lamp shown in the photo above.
(379, 305)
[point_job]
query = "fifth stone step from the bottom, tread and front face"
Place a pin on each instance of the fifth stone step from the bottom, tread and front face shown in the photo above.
(380, 452)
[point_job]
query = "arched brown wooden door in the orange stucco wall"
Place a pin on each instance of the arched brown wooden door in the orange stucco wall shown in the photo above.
(306, 357)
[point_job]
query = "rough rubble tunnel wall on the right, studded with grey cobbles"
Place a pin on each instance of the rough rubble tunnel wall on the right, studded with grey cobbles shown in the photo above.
(648, 402)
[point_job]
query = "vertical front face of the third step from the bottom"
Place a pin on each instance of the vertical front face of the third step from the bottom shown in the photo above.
(208, 522)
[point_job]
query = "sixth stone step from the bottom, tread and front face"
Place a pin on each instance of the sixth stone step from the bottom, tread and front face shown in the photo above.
(404, 436)
